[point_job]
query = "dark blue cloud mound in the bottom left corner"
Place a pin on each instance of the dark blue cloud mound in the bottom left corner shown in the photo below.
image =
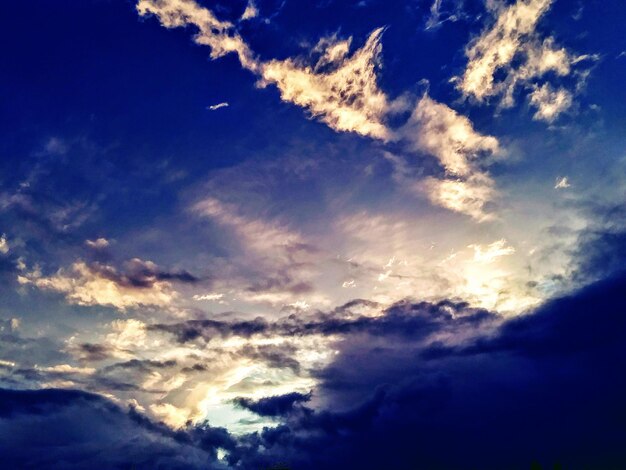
(69, 429)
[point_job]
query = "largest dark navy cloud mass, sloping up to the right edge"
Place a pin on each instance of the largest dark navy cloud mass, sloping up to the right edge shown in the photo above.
(547, 387)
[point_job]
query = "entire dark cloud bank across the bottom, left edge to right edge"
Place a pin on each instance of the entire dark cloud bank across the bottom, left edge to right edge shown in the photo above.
(546, 388)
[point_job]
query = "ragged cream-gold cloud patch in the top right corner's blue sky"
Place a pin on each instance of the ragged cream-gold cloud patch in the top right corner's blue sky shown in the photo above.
(512, 47)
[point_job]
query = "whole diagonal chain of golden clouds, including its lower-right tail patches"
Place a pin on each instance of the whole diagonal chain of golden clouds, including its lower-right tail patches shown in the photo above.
(340, 88)
